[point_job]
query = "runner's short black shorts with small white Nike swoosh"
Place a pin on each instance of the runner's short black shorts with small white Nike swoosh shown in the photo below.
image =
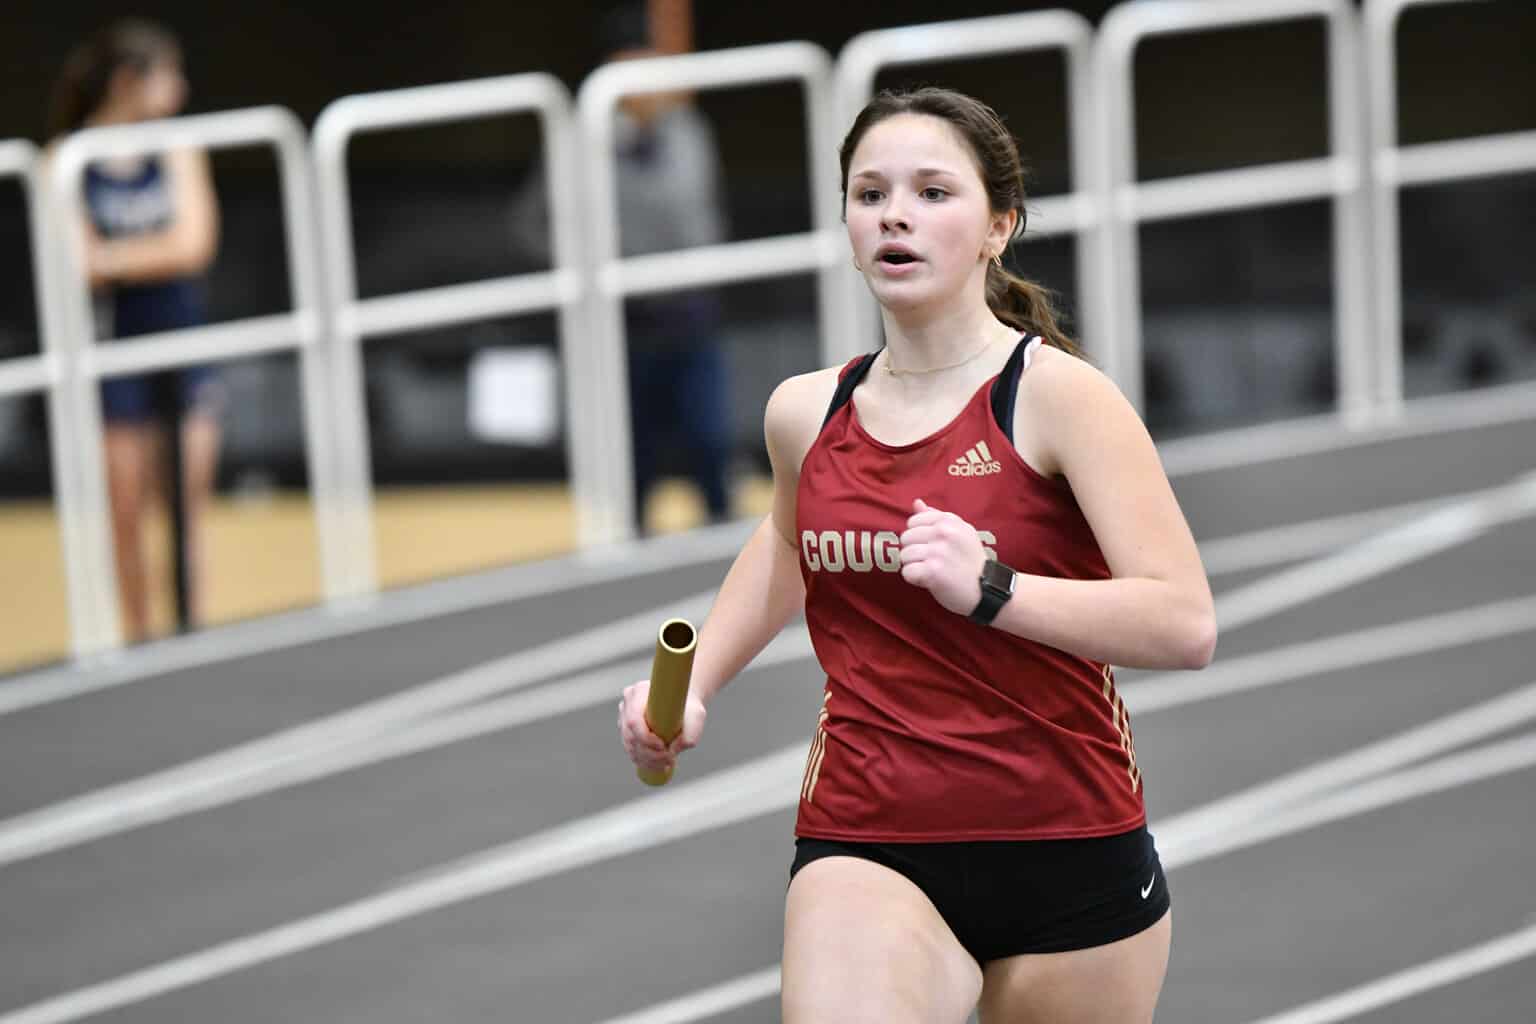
(1005, 899)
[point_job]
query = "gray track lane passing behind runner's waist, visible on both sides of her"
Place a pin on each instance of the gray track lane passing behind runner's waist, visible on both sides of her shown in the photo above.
(134, 900)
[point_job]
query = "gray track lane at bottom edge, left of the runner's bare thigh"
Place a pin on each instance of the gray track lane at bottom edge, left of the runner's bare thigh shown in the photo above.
(569, 950)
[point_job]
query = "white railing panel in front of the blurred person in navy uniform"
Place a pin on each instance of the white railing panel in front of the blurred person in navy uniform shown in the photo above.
(88, 363)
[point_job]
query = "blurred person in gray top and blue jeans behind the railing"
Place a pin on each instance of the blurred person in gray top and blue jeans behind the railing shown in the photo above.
(669, 196)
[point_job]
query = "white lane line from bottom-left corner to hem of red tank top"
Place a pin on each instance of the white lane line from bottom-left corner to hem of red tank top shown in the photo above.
(749, 791)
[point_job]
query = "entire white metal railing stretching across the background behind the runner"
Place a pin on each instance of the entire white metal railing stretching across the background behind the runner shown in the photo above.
(589, 280)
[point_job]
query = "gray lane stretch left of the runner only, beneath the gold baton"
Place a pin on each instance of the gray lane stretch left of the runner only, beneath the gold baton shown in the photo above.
(148, 896)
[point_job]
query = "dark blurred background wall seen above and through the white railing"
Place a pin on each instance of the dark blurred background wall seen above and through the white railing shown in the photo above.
(431, 205)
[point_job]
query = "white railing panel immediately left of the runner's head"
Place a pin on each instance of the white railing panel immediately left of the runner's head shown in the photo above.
(614, 279)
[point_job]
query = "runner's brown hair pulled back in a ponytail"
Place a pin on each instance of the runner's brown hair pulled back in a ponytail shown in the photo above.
(1018, 302)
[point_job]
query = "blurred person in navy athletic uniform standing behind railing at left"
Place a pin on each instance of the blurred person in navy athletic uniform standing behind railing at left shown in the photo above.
(151, 234)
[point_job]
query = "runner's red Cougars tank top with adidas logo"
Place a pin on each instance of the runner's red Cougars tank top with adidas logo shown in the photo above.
(935, 728)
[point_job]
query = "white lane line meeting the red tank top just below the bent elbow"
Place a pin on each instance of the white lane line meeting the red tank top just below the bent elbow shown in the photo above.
(1148, 693)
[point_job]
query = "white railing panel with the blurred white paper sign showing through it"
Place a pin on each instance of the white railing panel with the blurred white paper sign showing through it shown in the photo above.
(354, 320)
